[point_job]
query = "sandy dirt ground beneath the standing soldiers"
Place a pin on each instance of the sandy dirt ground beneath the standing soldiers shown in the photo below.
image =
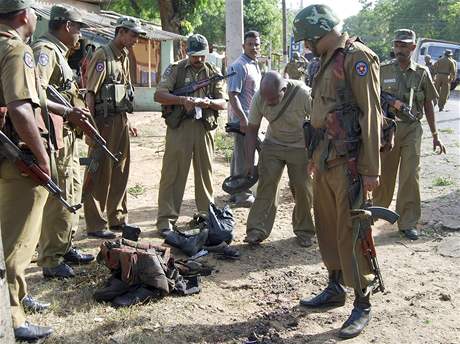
(255, 299)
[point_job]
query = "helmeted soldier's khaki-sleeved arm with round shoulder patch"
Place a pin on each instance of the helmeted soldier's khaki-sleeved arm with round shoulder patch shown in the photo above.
(364, 75)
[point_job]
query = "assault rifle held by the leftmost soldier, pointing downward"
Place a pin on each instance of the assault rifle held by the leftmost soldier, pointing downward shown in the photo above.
(26, 164)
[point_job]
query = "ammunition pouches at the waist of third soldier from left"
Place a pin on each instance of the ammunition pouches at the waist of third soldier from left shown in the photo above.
(113, 99)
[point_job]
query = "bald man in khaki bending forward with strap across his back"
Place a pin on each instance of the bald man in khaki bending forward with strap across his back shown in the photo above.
(285, 104)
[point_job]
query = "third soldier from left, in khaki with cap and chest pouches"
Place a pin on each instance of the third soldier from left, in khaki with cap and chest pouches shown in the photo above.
(110, 96)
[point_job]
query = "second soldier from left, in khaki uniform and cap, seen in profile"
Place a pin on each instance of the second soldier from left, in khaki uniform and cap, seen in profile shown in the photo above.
(51, 51)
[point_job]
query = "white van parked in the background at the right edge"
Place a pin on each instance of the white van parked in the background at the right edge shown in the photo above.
(436, 48)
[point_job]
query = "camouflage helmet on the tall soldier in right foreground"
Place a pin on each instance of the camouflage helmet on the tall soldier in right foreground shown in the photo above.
(313, 22)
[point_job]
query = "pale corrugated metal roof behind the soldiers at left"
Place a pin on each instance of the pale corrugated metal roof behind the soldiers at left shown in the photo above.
(101, 23)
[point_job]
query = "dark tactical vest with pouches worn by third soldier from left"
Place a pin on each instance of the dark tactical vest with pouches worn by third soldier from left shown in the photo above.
(114, 97)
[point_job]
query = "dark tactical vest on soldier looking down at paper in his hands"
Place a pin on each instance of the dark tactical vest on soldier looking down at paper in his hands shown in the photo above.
(175, 116)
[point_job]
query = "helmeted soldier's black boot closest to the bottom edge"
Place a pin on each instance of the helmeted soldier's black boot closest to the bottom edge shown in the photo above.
(358, 319)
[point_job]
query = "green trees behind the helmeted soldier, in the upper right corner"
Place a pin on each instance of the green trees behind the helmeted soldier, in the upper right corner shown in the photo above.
(377, 21)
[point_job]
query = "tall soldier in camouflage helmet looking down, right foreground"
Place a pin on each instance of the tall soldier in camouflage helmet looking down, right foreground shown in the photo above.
(357, 74)
